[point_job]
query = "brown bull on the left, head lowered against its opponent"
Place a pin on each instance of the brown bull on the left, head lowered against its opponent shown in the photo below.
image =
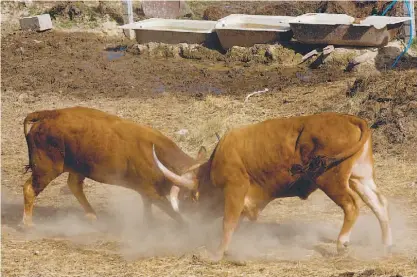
(89, 143)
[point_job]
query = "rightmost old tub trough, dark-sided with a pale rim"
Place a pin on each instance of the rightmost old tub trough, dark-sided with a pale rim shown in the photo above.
(341, 29)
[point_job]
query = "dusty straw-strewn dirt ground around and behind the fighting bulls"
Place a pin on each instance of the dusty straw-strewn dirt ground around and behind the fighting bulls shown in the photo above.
(292, 237)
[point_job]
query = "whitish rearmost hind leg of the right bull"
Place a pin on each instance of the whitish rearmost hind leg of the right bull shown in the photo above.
(367, 190)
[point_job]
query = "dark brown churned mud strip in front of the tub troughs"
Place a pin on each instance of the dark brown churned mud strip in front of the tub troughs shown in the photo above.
(77, 64)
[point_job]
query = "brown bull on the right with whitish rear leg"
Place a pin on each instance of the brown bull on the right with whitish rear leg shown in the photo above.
(287, 157)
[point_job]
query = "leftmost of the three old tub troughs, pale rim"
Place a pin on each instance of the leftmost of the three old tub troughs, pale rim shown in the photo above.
(173, 31)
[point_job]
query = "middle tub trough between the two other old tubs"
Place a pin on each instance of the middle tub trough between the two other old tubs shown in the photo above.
(248, 30)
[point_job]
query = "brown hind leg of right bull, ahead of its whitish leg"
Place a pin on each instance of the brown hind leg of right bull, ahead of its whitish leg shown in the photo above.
(340, 192)
